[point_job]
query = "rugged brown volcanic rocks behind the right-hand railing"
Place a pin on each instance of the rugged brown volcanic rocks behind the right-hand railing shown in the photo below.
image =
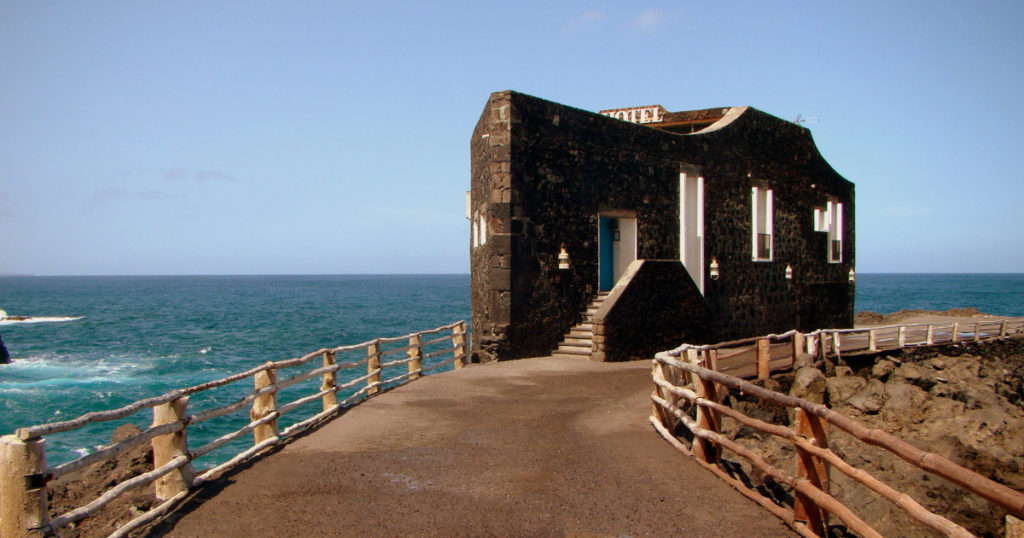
(964, 401)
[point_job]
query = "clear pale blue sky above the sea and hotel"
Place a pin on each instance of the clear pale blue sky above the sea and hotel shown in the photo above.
(323, 138)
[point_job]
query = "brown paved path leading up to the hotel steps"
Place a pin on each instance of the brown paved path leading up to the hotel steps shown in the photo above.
(541, 447)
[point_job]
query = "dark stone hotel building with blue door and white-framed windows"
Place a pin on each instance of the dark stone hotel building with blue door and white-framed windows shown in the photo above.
(691, 227)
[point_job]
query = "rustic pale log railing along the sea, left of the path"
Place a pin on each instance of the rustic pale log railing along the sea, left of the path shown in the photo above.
(24, 510)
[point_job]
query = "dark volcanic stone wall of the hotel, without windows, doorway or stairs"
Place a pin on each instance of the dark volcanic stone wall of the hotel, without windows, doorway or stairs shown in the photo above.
(543, 173)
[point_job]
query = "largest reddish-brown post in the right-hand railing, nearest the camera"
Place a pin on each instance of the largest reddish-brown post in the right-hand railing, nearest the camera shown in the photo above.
(815, 470)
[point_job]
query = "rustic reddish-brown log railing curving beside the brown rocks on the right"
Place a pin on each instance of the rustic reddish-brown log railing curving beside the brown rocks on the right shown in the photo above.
(689, 400)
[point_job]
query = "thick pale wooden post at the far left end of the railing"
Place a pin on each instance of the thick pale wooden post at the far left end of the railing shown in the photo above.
(23, 488)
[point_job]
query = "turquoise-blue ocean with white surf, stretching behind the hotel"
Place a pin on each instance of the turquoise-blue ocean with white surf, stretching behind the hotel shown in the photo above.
(143, 337)
